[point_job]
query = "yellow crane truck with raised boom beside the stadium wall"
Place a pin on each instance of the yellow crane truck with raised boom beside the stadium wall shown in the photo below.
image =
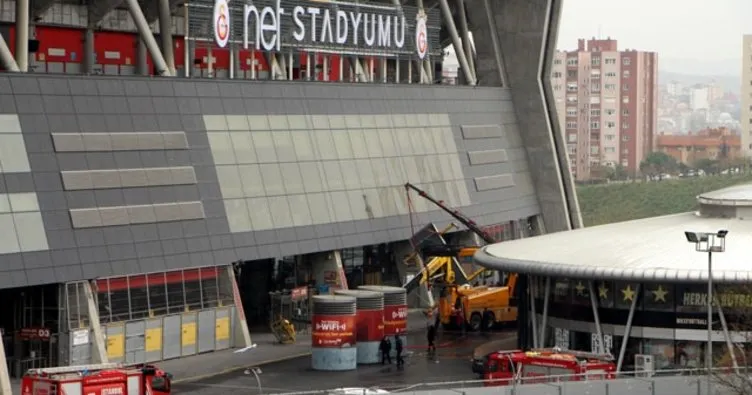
(461, 304)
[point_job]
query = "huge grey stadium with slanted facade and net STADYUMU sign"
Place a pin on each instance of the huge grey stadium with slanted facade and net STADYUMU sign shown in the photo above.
(165, 165)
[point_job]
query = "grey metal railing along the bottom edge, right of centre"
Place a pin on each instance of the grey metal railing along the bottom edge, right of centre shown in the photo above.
(661, 382)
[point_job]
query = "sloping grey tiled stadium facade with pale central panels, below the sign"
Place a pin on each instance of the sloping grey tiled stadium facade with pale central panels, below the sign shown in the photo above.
(139, 220)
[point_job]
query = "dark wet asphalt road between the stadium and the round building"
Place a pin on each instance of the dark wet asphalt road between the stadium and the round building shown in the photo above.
(451, 363)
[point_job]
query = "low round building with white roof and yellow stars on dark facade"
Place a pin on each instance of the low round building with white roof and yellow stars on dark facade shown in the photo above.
(640, 287)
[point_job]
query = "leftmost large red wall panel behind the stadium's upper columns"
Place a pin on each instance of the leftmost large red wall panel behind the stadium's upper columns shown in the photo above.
(57, 44)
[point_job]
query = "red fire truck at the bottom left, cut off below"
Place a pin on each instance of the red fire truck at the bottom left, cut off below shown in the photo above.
(97, 379)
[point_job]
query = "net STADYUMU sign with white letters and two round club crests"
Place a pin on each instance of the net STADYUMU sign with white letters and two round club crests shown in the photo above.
(327, 26)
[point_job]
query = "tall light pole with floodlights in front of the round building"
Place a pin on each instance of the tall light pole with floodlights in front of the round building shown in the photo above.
(710, 243)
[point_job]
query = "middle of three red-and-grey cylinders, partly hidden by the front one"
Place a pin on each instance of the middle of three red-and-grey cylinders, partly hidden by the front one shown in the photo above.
(369, 324)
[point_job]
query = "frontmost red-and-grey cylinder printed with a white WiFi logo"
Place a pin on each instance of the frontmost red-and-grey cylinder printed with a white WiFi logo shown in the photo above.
(333, 344)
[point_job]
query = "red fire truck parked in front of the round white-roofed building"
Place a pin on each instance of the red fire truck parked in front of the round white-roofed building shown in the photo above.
(550, 364)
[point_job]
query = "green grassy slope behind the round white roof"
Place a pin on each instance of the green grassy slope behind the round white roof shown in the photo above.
(608, 203)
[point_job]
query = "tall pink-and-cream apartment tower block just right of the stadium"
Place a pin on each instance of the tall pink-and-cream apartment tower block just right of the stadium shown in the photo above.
(606, 100)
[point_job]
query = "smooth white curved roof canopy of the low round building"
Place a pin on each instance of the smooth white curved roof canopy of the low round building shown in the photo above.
(653, 249)
